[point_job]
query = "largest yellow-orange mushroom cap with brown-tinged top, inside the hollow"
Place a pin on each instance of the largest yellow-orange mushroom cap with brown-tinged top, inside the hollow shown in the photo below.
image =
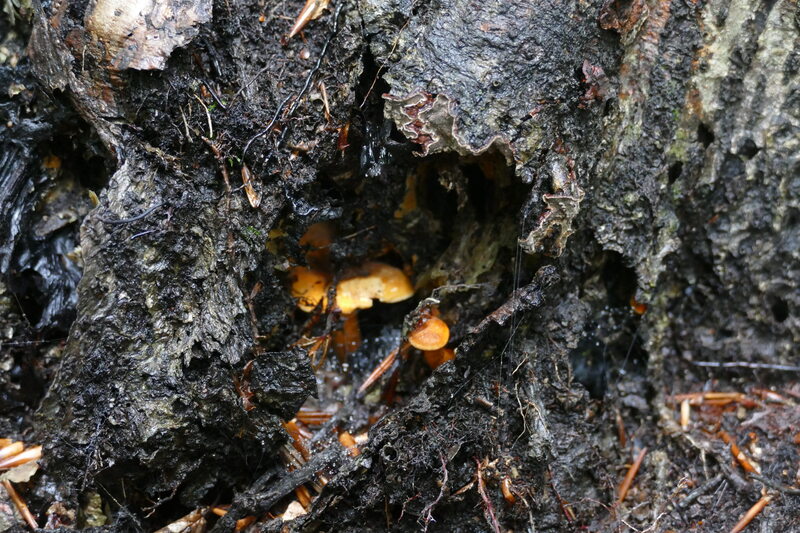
(378, 282)
